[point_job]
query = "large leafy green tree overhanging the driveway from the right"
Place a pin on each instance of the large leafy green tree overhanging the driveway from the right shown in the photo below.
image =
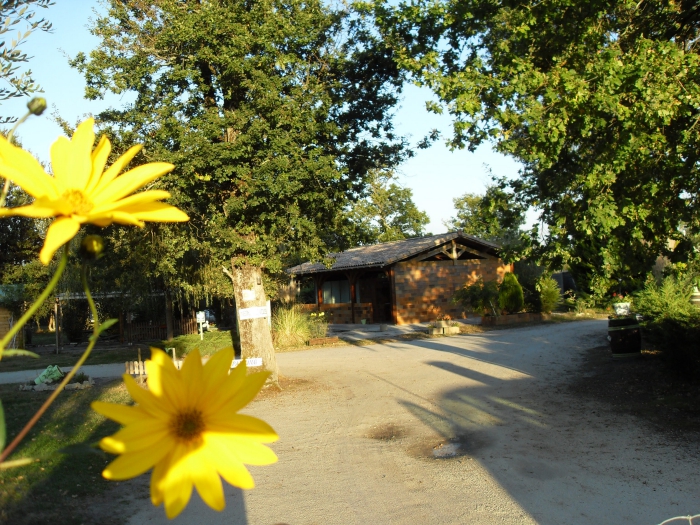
(600, 101)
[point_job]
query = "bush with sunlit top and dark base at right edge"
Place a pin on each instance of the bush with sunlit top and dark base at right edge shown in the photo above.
(672, 322)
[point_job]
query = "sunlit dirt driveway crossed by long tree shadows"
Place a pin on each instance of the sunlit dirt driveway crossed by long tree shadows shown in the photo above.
(361, 427)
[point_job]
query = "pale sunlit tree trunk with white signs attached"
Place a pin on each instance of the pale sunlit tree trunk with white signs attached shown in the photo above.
(256, 339)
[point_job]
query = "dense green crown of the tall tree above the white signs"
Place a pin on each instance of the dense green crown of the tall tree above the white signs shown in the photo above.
(273, 113)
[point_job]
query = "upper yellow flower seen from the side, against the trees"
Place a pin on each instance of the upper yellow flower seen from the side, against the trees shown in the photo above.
(81, 191)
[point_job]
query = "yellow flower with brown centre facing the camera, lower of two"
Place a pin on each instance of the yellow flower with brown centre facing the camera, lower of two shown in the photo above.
(186, 427)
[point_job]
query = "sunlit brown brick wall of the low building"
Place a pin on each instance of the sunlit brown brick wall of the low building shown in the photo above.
(425, 289)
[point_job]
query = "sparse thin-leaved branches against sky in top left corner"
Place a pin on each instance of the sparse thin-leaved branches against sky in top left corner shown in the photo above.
(12, 13)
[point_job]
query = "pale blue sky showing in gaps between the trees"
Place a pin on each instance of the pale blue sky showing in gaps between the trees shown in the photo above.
(435, 175)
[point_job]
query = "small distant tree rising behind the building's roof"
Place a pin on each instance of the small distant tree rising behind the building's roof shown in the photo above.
(386, 214)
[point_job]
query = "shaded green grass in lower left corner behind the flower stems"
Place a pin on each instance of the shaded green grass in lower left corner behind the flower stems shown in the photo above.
(52, 489)
